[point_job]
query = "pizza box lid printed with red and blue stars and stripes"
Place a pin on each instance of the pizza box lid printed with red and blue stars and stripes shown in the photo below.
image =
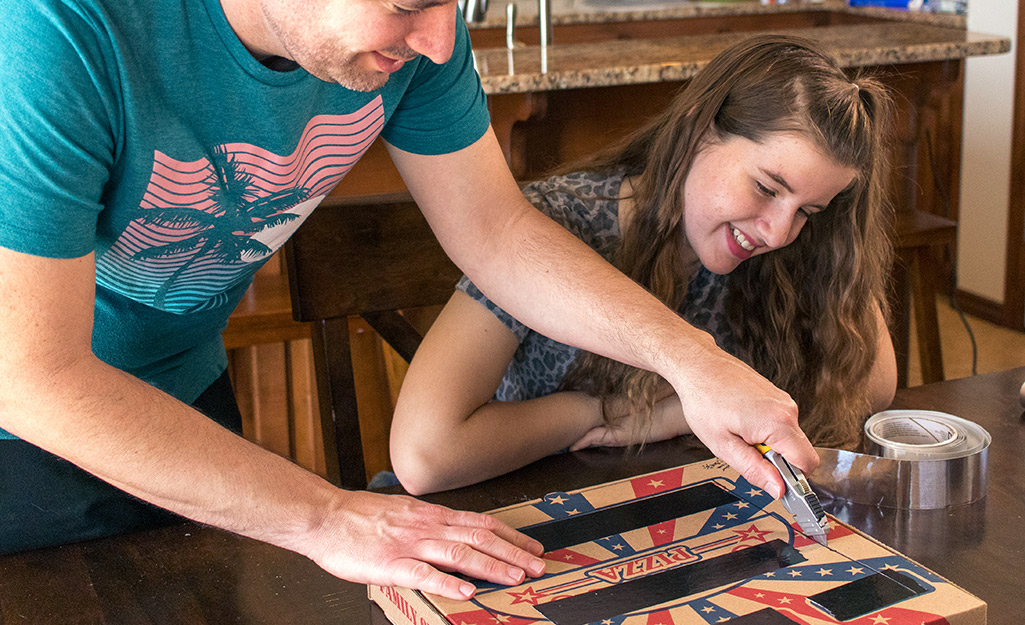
(745, 560)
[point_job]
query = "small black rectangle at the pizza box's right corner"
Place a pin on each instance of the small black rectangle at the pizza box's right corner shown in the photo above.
(871, 594)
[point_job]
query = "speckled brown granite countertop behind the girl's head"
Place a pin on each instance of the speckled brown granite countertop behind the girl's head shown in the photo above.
(906, 38)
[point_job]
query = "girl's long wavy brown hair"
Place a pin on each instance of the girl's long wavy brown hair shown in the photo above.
(804, 315)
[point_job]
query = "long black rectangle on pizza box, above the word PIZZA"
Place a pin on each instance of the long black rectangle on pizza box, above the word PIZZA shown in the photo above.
(587, 527)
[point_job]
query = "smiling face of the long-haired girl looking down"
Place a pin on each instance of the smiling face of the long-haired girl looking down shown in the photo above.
(745, 198)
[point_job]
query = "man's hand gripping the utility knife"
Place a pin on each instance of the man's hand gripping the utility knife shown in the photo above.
(731, 407)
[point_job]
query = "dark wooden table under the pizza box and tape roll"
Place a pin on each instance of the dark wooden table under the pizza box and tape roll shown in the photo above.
(190, 574)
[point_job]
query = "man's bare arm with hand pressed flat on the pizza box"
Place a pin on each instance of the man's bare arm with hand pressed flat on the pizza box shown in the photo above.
(57, 395)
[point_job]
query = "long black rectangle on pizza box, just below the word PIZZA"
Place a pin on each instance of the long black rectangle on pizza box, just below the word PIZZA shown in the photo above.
(662, 588)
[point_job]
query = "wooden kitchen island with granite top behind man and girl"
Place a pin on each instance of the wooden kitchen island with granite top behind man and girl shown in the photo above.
(614, 65)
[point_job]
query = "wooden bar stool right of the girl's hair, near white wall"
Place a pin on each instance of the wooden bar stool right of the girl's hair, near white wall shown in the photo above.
(918, 237)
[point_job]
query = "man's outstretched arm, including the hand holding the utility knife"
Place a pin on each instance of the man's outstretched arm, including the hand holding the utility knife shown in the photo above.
(557, 285)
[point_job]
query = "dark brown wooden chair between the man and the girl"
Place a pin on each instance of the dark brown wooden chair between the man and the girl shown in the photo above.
(368, 258)
